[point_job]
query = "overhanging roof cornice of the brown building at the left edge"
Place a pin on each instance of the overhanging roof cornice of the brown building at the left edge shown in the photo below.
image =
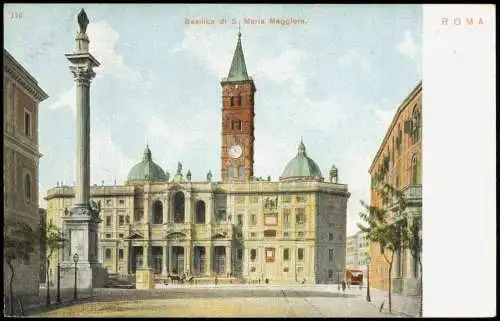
(16, 72)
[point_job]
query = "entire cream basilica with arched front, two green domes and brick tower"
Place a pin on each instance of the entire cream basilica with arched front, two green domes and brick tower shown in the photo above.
(241, 228)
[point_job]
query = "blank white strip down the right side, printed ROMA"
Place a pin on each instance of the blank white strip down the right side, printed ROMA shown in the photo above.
(459, 261)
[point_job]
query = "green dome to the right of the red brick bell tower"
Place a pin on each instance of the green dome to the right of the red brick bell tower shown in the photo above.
(301, 167)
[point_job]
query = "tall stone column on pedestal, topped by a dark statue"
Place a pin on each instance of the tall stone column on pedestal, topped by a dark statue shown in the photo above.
(82, 223)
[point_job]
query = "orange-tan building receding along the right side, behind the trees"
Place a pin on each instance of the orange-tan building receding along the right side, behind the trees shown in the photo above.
(398, 162)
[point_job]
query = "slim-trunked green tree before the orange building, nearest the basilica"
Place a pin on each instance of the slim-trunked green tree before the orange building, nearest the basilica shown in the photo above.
(379, 229)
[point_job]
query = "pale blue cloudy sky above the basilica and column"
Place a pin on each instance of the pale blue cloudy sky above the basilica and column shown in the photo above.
(336, 81)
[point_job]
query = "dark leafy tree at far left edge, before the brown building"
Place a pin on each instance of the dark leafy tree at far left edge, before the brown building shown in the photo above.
(20, 241)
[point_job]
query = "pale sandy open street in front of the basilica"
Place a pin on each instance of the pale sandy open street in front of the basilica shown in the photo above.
(223, 301)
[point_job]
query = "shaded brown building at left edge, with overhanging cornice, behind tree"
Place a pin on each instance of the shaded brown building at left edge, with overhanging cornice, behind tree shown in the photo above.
(20, 162)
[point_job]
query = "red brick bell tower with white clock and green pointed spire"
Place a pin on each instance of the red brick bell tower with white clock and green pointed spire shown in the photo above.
(238, 91)
